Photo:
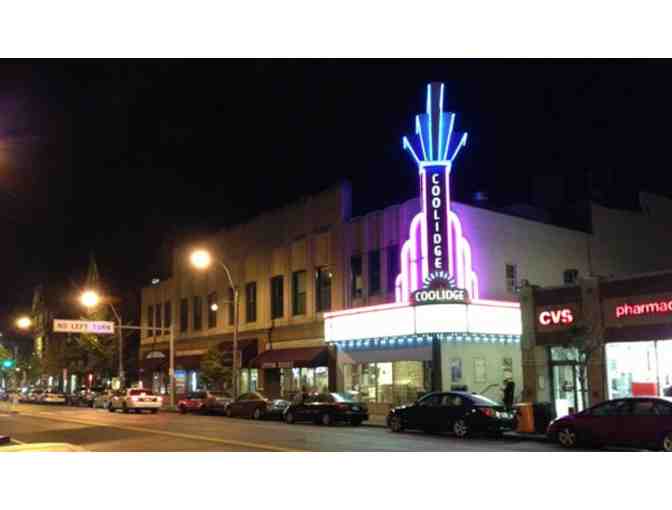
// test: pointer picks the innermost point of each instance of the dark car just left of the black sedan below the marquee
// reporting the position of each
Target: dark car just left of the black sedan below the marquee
(327, 409)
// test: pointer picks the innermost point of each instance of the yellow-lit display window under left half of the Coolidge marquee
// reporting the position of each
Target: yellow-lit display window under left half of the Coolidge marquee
(396, 382)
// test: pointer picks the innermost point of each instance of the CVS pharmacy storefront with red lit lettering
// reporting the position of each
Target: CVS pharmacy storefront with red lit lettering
(628, 320)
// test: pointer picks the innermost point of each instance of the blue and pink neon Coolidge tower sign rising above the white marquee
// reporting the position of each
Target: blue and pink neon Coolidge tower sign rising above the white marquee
(436, 244)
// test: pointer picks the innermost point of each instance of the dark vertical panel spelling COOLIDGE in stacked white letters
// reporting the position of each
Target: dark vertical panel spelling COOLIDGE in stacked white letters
(437, 217)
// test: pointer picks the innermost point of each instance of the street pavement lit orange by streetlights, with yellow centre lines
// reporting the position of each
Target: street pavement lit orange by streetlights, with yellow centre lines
(101, 431)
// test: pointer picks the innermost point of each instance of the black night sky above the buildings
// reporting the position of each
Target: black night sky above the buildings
(123, 158)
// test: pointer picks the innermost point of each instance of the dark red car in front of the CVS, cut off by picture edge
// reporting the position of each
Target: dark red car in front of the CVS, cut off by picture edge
(639, 421)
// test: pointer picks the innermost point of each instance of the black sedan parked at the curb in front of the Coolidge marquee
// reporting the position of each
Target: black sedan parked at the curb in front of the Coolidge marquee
(459, 412)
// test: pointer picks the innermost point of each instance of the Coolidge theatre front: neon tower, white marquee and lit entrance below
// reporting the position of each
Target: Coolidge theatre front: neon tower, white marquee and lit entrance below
(439, 334)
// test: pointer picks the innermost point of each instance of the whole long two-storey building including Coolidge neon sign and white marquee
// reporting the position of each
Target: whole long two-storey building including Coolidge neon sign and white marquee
(416, 297)
